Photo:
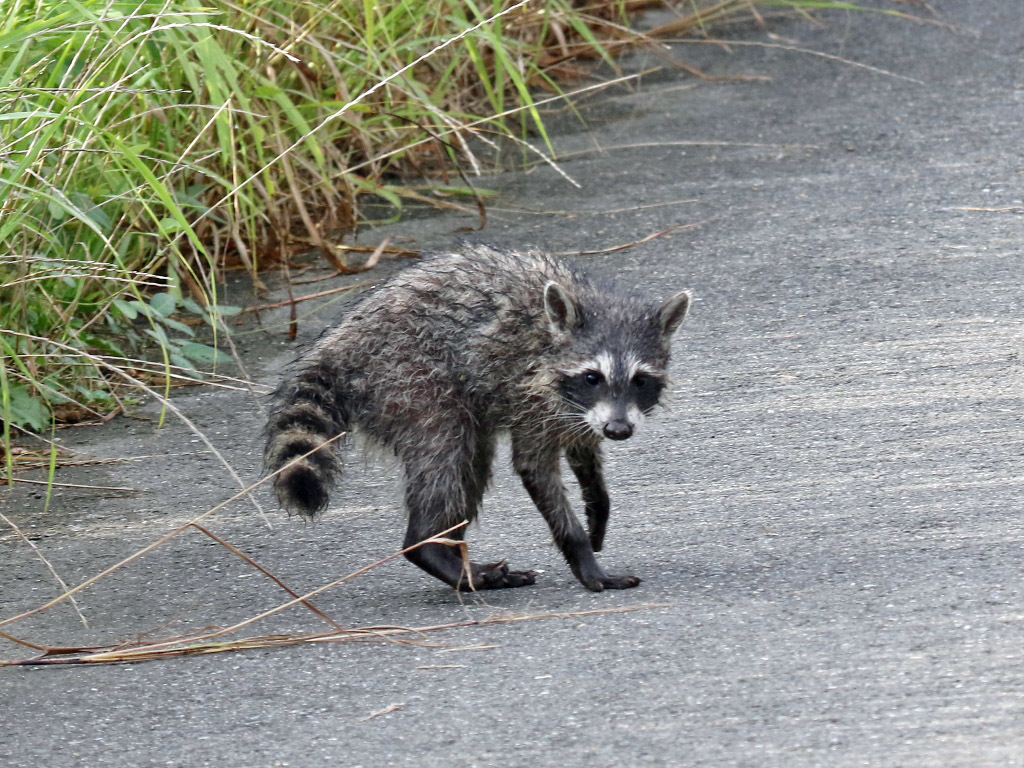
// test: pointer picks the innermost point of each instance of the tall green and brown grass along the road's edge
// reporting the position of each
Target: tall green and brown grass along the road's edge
(147, 147)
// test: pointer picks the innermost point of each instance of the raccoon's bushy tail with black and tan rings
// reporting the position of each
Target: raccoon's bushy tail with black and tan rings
(308, 415)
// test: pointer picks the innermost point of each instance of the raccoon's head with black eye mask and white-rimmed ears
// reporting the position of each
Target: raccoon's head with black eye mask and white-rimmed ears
(620, 353)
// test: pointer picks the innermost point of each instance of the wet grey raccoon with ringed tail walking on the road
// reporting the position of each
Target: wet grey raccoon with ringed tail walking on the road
(443, 359)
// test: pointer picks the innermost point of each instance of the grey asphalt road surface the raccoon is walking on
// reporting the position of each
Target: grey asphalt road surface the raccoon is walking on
(829, 517)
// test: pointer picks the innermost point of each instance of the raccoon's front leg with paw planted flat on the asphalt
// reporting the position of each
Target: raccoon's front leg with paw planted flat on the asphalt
(538, 466)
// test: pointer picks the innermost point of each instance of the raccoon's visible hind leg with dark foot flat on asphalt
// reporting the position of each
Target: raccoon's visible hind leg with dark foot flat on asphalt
(444, 488)
